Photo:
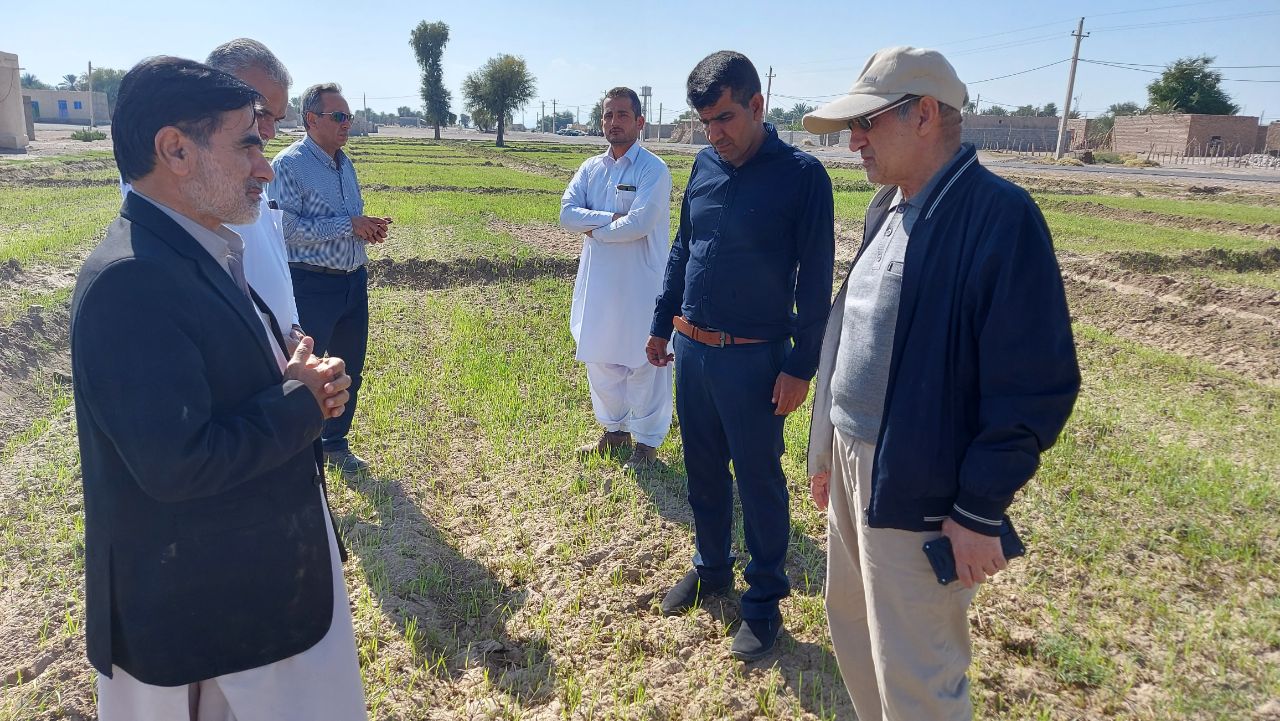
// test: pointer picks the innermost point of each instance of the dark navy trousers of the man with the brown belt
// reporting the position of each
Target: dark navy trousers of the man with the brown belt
(724, 398)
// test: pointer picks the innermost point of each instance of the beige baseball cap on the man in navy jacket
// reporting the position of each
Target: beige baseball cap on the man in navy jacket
(889, 76)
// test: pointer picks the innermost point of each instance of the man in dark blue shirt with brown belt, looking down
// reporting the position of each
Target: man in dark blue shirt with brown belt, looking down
(748, 277)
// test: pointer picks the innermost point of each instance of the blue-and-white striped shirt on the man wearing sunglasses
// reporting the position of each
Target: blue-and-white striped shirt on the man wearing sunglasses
(319, 198)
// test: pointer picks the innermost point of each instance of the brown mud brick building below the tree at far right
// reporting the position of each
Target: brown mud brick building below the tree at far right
(1187, 135)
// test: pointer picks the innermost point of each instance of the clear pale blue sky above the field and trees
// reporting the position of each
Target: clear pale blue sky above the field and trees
(579, 51)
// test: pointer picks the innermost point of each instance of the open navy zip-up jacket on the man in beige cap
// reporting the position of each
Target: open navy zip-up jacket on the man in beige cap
(984, 375)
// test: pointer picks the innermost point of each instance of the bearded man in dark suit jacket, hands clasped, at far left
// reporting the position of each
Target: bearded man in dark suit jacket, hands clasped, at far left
(213, 577)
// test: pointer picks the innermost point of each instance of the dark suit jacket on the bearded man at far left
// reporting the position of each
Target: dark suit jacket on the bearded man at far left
(205, 546)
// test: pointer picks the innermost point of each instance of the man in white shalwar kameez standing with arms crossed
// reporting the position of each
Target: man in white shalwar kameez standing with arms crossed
(621, 204)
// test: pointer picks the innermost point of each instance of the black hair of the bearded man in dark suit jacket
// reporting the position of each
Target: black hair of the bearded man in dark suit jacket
(167, 92)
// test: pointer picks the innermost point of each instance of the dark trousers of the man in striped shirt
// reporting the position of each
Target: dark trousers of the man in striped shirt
(335, 312)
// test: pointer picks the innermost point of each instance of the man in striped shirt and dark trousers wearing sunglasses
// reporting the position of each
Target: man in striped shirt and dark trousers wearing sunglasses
(326, 234)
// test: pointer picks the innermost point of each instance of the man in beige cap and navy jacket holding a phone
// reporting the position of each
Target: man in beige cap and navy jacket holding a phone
(948, 368)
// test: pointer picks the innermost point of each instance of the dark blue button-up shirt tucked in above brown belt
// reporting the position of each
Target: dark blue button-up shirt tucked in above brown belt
(755, 252)
